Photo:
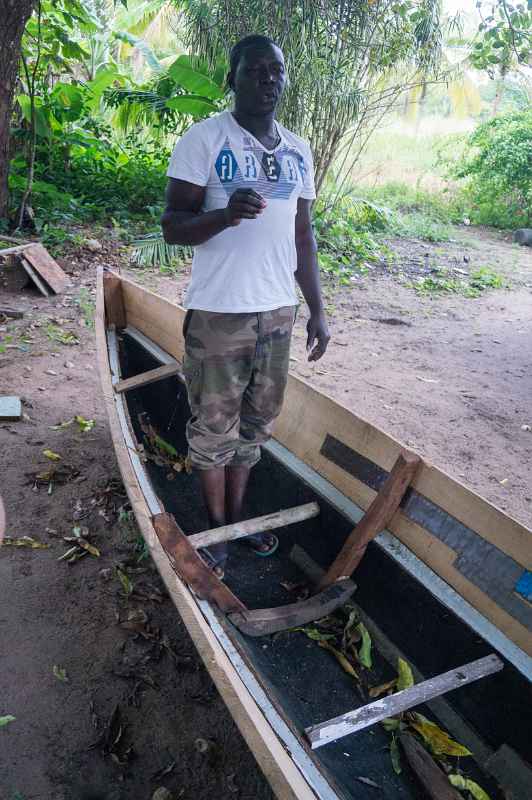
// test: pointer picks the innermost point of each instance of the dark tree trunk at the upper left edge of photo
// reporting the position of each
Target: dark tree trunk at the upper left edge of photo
(13, 15)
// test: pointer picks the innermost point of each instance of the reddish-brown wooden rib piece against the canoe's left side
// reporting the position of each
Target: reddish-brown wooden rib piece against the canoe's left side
(191, 568)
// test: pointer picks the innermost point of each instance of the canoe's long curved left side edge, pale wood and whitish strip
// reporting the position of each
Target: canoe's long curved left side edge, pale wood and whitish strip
(282, 758)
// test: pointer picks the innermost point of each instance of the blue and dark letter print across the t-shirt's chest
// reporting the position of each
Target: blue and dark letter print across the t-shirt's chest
(273, 175)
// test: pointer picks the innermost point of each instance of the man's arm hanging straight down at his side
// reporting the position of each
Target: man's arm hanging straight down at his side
(308, 277)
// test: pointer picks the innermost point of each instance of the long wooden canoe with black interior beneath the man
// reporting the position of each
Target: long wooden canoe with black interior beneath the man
(446, 584)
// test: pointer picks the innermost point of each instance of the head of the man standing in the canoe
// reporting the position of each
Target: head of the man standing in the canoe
(257, 74)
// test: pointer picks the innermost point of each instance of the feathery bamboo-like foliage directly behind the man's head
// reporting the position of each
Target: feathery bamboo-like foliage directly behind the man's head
(348, 62)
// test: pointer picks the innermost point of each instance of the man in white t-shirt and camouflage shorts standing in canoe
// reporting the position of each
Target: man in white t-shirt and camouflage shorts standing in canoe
(240, 191)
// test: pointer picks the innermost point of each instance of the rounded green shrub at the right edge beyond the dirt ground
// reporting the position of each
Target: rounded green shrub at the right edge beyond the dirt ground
(497, 167)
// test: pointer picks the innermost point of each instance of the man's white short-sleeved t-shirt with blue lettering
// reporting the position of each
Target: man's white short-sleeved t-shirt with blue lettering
(249, 267)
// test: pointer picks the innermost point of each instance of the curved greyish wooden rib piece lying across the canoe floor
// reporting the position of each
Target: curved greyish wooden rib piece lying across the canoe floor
(262, 621)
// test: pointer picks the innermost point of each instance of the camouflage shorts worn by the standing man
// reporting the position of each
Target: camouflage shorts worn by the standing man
(235, 366)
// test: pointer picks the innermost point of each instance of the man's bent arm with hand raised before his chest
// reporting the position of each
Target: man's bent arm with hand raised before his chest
(183, 221)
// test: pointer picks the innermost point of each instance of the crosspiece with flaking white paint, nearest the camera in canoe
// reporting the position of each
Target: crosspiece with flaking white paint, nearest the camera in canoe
(360, 718)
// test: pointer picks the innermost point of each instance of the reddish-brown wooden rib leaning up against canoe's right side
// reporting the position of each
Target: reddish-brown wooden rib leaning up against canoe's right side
(375, 519)
